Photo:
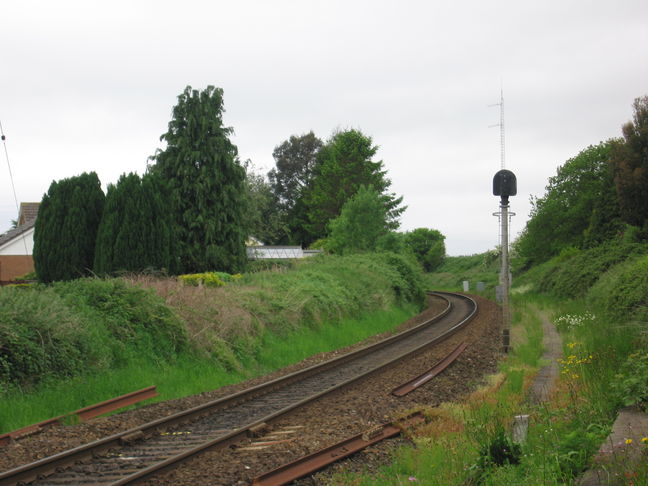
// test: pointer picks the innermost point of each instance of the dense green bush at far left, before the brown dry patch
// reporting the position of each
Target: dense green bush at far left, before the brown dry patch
(83, 325)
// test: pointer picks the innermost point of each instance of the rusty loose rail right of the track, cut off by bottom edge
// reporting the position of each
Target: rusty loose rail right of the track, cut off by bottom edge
(316, 461)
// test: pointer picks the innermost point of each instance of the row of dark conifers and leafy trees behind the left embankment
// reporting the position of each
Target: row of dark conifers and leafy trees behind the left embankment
(197, 203)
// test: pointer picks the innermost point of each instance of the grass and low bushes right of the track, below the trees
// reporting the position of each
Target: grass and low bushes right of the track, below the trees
(599, 301)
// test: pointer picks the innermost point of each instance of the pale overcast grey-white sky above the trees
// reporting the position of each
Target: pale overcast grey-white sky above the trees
(89, 86)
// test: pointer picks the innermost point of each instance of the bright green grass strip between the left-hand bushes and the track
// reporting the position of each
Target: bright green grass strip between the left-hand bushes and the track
(189, 374)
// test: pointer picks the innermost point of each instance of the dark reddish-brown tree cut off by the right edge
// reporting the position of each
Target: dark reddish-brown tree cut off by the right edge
(630, 160)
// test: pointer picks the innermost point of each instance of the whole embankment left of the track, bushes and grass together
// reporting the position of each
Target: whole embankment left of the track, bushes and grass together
(72, 344)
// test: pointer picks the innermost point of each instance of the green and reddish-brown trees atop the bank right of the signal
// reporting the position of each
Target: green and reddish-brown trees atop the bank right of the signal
(597, 196)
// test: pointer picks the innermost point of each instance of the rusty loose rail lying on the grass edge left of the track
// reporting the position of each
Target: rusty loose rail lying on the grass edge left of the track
(83, 414)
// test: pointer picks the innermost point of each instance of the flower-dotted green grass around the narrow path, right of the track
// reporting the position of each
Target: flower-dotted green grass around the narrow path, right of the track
(563, 434)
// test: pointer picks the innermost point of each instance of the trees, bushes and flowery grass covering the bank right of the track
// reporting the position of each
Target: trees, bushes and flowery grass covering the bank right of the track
(582, 261)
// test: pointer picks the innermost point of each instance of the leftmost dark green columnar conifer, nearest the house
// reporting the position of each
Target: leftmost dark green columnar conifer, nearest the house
(66, 228)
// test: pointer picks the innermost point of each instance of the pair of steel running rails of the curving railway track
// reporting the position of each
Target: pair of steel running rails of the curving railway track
(29, 472)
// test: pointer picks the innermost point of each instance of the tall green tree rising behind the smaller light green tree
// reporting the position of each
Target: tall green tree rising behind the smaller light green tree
(344, 164)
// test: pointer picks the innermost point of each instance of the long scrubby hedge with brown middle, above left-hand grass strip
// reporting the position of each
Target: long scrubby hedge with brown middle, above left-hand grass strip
(89, 325)
